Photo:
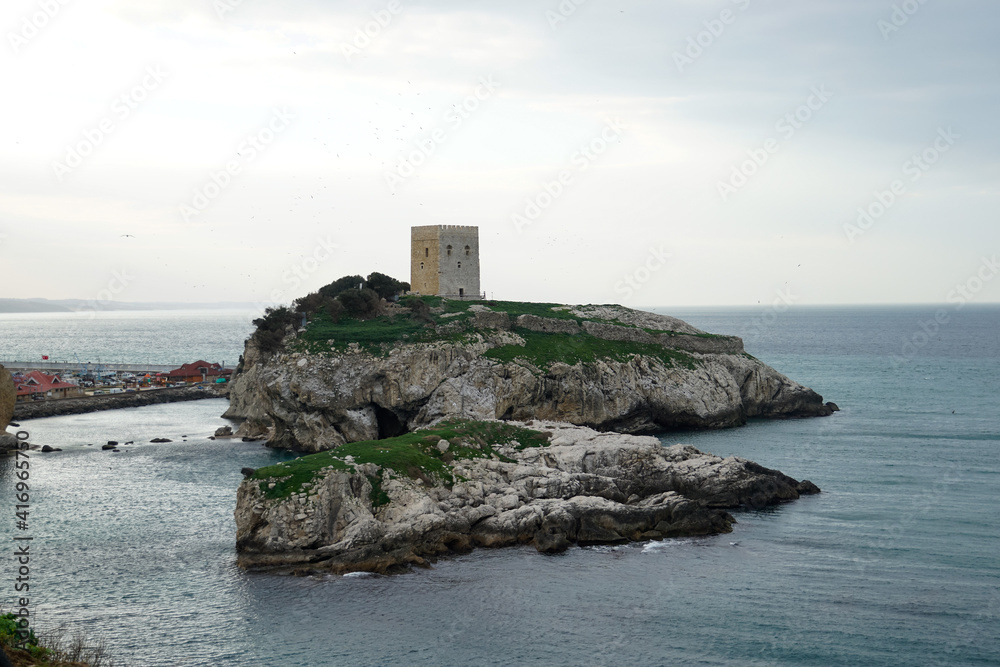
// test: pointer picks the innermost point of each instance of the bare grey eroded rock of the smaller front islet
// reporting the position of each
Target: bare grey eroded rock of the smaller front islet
(586, 487)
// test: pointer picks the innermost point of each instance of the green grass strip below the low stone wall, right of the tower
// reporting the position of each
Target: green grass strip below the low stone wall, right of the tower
(544, 349)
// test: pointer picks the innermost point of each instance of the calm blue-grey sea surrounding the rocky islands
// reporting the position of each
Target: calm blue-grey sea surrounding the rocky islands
(897, 562)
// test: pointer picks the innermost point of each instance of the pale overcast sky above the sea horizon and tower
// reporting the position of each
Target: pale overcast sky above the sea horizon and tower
(685, 153)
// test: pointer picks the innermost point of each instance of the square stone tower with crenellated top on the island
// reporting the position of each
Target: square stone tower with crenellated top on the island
(444, 261)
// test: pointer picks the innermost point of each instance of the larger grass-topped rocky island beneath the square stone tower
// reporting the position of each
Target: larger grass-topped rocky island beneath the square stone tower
(318, 386)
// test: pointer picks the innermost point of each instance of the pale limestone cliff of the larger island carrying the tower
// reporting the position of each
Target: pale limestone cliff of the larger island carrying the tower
(312, 402)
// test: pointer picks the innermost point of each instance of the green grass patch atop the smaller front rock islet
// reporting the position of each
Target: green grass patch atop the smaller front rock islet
(414, 455)
